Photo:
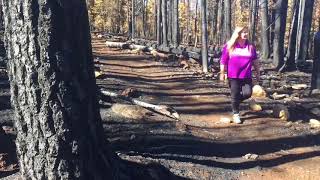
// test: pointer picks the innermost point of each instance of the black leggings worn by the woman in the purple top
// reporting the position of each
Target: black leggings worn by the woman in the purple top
(241, 89)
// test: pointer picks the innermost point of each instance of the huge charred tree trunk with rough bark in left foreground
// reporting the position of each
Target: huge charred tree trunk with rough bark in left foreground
(53, 92)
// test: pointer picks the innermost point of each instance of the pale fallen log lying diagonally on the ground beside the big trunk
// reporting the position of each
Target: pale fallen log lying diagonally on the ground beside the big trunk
(162, 109)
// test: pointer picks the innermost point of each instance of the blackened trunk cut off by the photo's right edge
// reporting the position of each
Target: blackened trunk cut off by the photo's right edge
(315, 80)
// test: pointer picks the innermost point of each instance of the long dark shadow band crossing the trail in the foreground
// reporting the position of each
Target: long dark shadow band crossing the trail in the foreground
(185, 148)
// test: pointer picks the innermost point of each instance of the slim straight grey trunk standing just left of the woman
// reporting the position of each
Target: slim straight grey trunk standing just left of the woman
(204, 34)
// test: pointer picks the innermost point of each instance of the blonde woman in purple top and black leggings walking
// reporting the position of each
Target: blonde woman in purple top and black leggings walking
(238, 57)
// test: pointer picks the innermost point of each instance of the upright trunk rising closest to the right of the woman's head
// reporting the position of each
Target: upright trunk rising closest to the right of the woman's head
(264, 29)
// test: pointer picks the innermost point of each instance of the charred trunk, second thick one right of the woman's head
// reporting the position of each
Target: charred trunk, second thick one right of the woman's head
(279, 31)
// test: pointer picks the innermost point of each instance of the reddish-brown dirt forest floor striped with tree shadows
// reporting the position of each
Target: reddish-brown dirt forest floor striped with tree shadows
(199, 145)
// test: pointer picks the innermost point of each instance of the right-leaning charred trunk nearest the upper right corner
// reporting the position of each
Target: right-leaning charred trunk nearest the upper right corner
(303, 31)
